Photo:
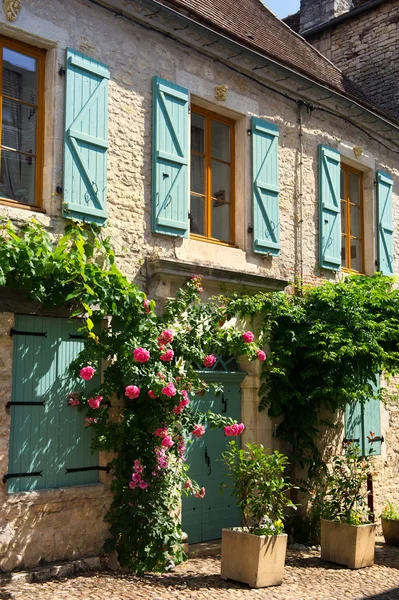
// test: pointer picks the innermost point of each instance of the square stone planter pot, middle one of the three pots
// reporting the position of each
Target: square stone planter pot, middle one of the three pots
(349, 545)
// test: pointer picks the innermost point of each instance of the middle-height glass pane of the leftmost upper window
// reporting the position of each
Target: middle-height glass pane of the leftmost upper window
(19, 126)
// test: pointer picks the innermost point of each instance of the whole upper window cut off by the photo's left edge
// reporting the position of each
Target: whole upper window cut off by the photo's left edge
(22, 124)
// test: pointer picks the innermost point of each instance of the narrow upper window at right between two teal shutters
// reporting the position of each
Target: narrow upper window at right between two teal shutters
(352, 219)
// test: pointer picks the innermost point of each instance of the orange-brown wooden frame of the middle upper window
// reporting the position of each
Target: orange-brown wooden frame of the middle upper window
(209, 117)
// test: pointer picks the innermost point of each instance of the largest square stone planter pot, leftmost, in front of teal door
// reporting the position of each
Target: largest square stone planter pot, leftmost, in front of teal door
(257, 560)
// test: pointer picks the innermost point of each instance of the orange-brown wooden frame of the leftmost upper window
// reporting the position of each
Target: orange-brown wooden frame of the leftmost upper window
(40, 55)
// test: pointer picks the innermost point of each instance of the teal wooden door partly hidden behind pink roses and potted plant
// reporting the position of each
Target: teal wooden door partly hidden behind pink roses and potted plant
(203, 519)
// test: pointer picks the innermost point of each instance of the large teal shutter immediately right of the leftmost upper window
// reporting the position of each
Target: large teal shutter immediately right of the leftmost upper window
(86, 139)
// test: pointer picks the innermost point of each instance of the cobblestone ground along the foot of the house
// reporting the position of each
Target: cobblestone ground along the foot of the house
(306, 578)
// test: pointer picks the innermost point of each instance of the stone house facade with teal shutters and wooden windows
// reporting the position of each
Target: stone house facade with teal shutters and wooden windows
(180, 87)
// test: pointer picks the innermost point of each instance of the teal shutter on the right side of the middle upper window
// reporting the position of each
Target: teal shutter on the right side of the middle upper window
(266, 210)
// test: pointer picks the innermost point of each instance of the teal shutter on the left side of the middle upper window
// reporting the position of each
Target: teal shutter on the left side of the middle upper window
(170, 148)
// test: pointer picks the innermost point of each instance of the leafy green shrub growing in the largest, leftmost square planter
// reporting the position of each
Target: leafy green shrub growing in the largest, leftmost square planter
(259, 486)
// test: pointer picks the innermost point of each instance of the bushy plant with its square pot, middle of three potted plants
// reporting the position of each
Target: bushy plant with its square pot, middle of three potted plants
(347, 535)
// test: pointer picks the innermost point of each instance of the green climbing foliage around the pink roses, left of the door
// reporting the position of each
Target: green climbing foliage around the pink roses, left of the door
(79, 269)
